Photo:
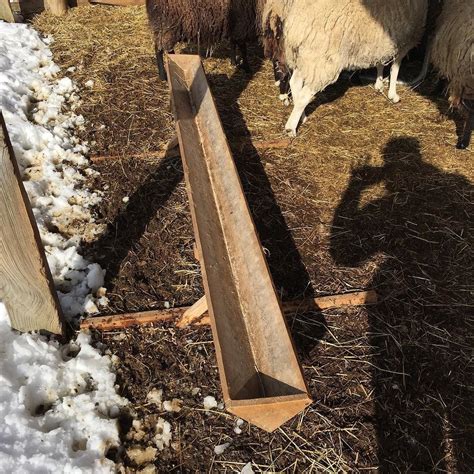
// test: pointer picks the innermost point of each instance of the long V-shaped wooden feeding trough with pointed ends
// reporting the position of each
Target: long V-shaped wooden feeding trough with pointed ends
(261, 378)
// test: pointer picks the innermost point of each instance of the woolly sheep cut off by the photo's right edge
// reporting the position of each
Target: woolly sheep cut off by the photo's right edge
(452, 53)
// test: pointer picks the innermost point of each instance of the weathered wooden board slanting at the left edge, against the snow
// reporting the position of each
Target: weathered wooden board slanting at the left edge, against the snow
(27, 288)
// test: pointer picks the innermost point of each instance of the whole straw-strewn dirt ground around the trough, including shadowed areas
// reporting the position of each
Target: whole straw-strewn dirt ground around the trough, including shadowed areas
(369, 195)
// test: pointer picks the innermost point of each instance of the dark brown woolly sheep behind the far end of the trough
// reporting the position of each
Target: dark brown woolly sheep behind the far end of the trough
(207, 22)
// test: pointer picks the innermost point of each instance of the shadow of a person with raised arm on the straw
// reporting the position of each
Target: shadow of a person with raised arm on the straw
(419, 333)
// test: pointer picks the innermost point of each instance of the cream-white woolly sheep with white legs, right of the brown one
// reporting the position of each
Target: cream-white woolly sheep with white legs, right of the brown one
(321, 38)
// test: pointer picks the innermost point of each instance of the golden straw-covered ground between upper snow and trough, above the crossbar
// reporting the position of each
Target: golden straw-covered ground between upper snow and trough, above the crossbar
(100, 47)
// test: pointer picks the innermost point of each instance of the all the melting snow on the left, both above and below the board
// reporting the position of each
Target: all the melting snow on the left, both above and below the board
(57, 403)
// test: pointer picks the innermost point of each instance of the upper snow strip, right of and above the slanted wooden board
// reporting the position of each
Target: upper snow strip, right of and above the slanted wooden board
(38, 111)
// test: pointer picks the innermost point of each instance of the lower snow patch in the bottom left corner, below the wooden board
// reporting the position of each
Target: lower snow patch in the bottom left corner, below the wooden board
(55, 404)
